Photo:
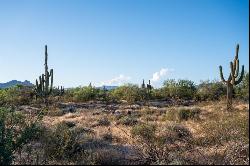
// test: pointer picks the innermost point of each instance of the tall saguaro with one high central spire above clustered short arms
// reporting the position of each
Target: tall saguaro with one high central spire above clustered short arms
(44, 85)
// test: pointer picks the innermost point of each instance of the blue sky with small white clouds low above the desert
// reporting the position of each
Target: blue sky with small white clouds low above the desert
(118, 41)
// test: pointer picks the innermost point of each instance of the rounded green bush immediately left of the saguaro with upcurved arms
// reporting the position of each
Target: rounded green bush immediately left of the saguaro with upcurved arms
(213, 90)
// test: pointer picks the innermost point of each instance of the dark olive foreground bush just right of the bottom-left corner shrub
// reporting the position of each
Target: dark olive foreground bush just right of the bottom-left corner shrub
(65, 143)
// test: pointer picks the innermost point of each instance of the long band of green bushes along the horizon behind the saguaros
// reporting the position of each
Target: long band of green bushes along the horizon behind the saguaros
(171, 89)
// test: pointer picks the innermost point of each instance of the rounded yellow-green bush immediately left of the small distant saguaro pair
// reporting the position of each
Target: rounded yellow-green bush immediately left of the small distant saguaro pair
(131, 93)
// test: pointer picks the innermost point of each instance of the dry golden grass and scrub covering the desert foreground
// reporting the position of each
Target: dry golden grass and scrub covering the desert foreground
(204, 134)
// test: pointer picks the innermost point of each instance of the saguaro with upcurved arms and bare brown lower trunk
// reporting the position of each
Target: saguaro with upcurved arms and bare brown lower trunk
(233, 78)
